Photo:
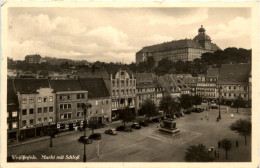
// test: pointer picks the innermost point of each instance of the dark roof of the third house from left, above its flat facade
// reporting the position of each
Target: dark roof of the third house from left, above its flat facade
(65, 85)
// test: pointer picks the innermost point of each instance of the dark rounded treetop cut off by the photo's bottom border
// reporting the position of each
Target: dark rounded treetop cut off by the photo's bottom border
(198, 154)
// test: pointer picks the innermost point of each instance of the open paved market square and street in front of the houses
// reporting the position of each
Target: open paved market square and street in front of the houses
(146, 144)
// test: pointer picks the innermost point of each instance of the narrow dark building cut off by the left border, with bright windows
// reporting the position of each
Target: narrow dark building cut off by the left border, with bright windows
(12, 113)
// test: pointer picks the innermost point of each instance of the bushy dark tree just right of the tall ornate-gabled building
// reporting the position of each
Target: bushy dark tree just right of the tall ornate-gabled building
(148, 108)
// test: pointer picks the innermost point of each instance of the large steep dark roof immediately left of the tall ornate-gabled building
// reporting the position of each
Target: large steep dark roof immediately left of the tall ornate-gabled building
(96, 87)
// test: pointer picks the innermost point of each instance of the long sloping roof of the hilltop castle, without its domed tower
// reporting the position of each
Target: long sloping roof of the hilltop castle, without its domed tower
(185, 43)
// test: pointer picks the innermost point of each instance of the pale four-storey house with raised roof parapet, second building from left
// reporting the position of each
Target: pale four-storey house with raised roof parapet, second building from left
(37, 106)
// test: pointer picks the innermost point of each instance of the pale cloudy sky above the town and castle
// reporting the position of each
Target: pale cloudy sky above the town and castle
(116, 34)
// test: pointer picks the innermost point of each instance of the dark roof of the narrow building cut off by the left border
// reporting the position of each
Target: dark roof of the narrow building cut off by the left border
(12, 99)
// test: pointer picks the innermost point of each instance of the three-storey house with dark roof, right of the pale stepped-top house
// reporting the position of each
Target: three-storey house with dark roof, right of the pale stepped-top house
(69, 98)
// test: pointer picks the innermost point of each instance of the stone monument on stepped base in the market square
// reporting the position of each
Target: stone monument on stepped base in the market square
(168, 127)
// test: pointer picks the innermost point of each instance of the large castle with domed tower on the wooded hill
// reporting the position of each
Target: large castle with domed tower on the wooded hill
(184, 50)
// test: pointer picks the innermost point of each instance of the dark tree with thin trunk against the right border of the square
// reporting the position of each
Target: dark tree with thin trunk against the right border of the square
(242, 127)
